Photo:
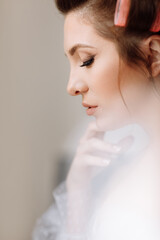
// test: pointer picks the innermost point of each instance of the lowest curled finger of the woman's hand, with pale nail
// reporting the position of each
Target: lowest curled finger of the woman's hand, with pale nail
(96, 161)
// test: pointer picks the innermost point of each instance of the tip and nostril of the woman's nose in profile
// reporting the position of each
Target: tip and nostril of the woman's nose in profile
(76, 86)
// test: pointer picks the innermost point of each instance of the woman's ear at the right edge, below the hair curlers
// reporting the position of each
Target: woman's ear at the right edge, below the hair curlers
(153, 43)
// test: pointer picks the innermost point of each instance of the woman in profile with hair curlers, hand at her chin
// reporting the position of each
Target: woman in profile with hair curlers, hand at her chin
(112, 189)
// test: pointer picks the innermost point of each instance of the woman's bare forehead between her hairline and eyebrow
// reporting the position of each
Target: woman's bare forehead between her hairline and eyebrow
(77, 30)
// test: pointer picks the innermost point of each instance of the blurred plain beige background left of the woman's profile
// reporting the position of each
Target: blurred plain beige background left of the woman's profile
(40, 124)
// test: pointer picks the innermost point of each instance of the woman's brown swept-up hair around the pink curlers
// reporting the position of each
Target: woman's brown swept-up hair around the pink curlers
(100, 13)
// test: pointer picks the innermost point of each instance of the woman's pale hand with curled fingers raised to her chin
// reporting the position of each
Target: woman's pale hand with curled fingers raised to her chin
(93, 154)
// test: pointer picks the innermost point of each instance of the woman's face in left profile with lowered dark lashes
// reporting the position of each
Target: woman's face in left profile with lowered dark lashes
(95, 72)
